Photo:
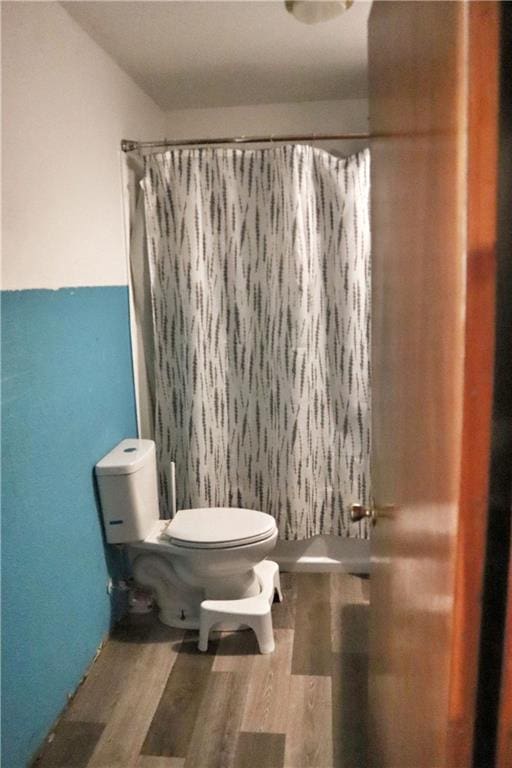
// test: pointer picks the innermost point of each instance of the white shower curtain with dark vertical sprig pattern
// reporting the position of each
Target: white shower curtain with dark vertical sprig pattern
(260, 280)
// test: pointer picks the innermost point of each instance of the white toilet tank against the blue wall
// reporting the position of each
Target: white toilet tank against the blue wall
(127, 482)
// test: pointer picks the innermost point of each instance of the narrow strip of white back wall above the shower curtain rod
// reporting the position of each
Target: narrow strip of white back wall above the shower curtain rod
(343, 116)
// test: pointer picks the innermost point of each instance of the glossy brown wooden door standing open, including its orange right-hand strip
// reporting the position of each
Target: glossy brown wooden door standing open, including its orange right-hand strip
(433, 97)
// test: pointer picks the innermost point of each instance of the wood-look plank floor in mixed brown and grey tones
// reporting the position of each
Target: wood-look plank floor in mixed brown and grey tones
(151, 700)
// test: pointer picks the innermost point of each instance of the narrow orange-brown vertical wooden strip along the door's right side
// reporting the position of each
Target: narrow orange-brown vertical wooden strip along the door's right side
(481, 207)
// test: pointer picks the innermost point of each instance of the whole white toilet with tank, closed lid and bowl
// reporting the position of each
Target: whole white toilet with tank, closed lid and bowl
(202, 554)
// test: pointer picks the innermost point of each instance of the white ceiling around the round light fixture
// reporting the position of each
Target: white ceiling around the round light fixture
(219, 54)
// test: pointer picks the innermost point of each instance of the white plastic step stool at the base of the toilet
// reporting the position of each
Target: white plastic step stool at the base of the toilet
(251, 611)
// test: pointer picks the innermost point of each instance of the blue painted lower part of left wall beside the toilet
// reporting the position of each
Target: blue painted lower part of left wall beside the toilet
(67, 399)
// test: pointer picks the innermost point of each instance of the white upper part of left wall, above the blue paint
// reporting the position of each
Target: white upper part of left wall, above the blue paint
(66, 106)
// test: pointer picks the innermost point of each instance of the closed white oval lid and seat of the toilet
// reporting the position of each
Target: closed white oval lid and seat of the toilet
(219, 527)
